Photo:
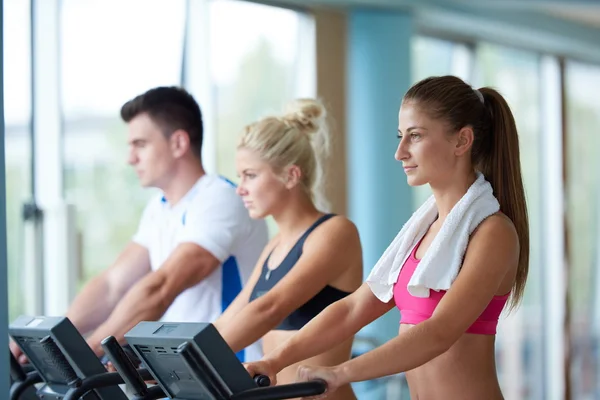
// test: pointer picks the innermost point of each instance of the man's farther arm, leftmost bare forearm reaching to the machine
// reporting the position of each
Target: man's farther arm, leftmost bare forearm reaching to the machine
(100, 296)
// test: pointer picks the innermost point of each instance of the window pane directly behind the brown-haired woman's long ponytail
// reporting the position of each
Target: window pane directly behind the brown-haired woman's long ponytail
(521, 334)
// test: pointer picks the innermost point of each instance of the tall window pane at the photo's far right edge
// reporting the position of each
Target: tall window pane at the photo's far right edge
(583, 222)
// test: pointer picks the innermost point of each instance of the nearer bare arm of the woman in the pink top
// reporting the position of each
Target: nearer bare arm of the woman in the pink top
(493, 251)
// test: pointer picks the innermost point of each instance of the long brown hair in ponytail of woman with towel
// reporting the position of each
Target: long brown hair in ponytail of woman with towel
(495, 150)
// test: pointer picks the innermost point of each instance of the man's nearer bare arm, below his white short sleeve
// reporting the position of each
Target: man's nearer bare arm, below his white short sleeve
(151, 297)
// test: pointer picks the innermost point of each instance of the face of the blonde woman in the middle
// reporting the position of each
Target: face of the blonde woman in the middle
(261, 189)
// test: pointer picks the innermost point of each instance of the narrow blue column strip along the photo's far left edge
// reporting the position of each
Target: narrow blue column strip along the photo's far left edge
(4, 365)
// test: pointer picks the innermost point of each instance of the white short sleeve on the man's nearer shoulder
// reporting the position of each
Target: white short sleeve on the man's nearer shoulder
(216, 221)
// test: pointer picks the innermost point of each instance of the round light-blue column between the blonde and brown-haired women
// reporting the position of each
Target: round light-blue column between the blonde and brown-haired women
(379, 74)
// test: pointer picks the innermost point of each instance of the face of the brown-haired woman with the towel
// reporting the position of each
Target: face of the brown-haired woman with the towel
(429, 152)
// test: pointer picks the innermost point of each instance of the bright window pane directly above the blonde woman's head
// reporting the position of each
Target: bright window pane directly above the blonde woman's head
(260, 59)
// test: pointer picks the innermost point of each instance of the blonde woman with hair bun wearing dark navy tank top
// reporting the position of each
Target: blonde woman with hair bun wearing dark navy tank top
(314, 260)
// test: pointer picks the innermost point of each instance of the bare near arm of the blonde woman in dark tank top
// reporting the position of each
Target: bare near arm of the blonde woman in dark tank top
(330, 250)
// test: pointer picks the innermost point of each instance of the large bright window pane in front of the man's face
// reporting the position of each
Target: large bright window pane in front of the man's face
(101, 69)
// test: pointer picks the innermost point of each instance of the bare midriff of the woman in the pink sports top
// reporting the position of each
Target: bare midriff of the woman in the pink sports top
(467, 372)
